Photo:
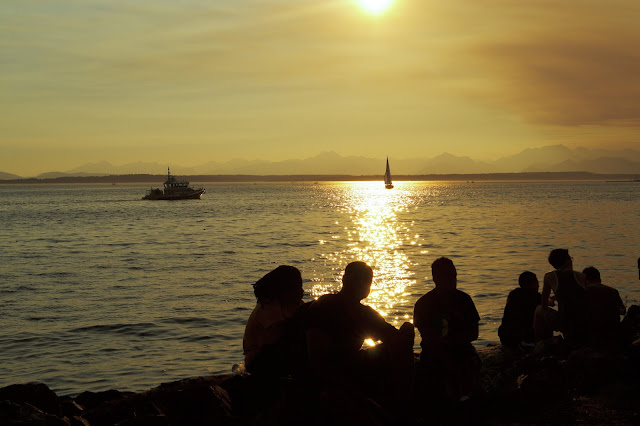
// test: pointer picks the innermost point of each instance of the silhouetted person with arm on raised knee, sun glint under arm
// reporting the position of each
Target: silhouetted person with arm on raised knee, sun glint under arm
(337, 326)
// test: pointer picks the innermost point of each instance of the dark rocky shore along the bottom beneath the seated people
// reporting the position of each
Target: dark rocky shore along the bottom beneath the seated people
(550, 385)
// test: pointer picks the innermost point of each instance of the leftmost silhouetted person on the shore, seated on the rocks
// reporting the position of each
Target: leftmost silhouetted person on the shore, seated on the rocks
(273, 340)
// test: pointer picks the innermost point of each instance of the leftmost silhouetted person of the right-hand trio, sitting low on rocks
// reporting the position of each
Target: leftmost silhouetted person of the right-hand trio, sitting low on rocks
(516, 329)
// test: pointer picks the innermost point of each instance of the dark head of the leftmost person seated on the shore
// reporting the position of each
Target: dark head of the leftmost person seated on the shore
(283, 284)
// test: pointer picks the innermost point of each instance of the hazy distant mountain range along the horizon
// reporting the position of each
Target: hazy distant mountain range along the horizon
(553, 158)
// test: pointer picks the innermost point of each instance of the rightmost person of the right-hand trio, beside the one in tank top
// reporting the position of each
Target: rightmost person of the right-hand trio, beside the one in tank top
(605, 307)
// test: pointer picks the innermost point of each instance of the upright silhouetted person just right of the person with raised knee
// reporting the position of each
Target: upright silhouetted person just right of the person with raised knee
(448, 322)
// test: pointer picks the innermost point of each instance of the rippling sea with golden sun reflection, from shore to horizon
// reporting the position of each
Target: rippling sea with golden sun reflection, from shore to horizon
(100, 289)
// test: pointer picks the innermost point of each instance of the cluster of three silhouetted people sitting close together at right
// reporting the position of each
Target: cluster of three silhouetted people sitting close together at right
(588, 312)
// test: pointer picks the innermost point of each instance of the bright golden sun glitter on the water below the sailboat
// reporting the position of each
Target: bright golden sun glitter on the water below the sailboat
(376, 236)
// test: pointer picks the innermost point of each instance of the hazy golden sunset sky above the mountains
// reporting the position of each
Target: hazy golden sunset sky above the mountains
(191, 81)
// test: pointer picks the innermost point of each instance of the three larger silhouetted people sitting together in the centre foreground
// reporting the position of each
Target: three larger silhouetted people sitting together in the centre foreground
(322, 343)
